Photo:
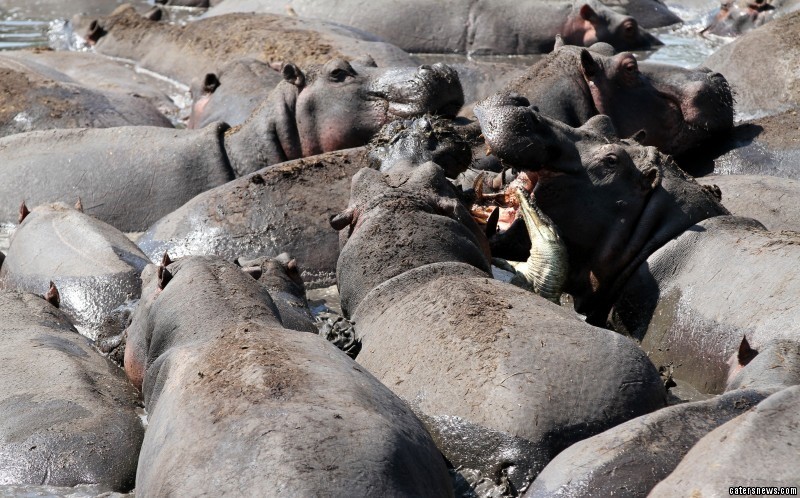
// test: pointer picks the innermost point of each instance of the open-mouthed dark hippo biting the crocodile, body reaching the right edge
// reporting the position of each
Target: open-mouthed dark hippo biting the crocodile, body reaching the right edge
(644, 241)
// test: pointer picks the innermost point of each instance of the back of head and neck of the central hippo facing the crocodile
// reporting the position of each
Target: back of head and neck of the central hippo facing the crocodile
(395, 222)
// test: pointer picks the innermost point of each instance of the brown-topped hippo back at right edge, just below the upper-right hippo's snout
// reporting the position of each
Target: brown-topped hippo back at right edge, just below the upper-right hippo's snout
(762, 146)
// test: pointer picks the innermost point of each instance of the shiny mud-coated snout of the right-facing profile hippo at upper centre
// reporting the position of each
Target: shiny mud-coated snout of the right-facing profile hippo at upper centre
(432, 89)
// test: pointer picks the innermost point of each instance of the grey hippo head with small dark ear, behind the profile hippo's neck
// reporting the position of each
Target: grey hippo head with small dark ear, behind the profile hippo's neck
(232, 93)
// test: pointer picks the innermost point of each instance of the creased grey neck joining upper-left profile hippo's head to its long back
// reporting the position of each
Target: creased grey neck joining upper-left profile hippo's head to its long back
(269, 136)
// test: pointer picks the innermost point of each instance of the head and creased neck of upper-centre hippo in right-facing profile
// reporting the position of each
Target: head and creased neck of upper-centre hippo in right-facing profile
(338, 105)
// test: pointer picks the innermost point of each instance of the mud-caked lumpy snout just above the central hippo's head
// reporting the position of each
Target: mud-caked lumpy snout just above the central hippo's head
(417, 141)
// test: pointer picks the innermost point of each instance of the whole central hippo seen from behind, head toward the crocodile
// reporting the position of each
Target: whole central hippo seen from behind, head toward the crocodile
(460, 347)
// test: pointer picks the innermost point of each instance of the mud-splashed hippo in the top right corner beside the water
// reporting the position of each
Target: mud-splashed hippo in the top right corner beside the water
(736, 17)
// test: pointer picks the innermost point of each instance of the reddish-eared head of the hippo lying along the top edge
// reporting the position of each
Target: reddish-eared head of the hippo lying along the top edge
(589, 23)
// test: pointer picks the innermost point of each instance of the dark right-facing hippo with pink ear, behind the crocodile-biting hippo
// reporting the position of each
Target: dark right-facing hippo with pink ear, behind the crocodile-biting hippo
(679, 109)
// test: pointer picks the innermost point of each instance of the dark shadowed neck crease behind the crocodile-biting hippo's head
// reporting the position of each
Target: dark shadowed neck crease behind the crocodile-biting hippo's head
(674, 206)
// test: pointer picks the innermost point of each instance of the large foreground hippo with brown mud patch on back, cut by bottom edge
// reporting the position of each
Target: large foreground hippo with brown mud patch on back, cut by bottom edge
(227, 387)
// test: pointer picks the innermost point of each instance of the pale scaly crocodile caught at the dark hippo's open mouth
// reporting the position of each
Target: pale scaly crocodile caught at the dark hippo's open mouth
(545, 271)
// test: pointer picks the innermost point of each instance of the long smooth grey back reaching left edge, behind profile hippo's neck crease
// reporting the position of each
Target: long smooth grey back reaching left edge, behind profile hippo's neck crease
(128, 177)
